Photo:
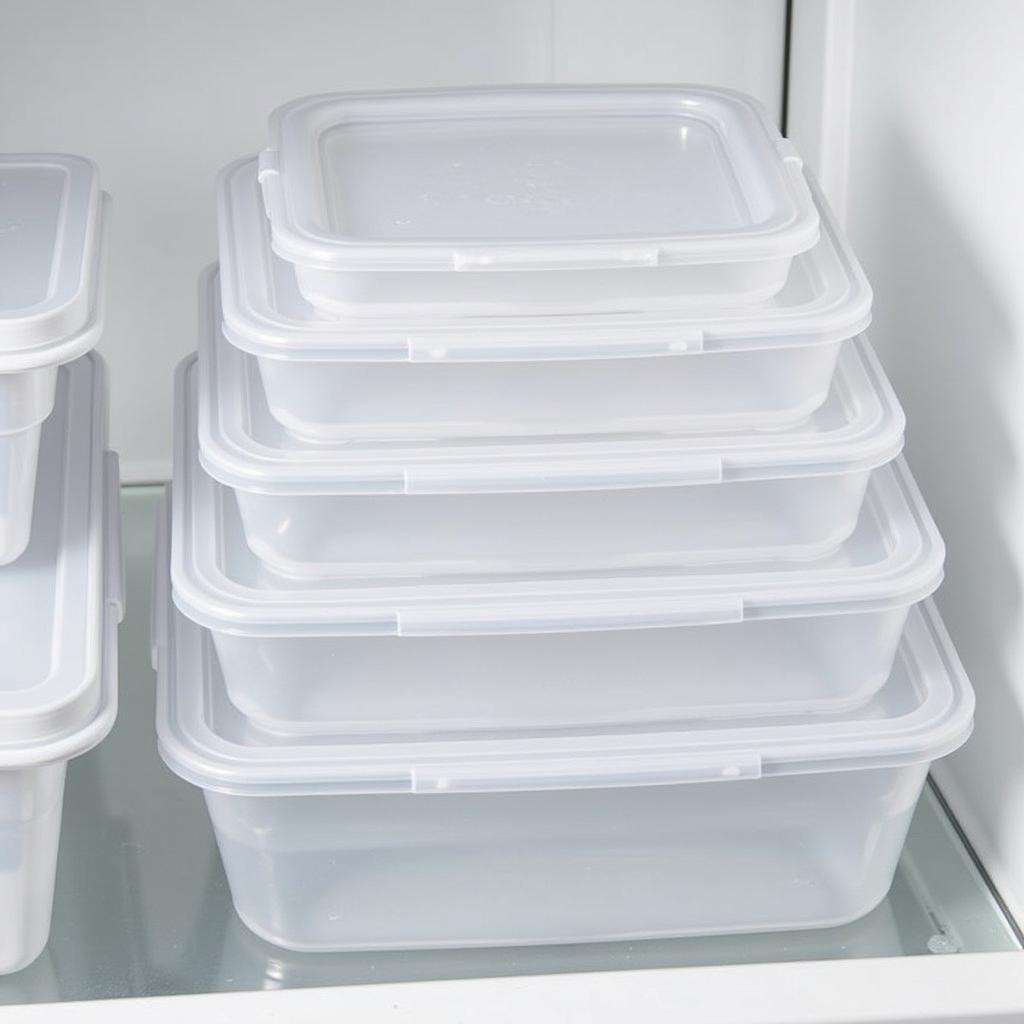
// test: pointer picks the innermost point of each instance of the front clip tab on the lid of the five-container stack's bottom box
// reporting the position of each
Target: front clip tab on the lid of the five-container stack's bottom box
(594, 772)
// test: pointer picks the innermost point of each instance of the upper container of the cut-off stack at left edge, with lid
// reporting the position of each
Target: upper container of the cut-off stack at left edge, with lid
(52, 295)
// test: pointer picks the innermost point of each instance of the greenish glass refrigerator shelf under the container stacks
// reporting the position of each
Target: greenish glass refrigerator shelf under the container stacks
(143, 908)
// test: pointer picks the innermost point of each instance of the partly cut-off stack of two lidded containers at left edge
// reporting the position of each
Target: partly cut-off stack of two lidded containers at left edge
(61, 590)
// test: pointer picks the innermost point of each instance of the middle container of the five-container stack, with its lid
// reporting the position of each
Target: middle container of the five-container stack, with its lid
(381, 508)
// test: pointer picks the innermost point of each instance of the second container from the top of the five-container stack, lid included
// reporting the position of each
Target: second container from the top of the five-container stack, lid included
(653, 369)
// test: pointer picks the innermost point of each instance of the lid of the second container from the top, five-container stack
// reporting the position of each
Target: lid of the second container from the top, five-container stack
(826, 300)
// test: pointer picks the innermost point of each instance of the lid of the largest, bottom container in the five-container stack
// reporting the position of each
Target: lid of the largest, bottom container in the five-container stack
(924, 712)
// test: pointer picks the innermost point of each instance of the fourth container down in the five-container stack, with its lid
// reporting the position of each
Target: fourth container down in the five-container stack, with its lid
(443, 651)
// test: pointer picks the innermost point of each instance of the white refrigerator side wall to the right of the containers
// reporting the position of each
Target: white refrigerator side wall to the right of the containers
(905, 110)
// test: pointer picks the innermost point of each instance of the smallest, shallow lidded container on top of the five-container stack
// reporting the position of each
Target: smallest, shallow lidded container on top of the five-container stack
(554, 199)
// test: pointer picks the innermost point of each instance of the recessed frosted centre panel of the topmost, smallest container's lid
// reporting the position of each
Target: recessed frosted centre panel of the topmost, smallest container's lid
(517, 179)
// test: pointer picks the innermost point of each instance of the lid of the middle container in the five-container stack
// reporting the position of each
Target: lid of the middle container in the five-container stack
(860, 426)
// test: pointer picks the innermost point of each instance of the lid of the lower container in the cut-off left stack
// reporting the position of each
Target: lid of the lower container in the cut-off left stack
(62, 601)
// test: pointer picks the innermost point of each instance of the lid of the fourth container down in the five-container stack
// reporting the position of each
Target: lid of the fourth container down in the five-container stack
(894, 558)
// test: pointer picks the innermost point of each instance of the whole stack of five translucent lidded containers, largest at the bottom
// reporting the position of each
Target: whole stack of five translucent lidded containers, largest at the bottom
(543, 566)
